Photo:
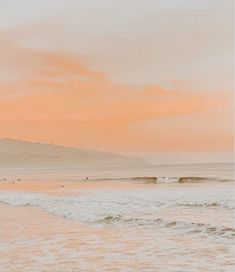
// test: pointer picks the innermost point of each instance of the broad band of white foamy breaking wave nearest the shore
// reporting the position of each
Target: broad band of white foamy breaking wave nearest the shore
(135, 207)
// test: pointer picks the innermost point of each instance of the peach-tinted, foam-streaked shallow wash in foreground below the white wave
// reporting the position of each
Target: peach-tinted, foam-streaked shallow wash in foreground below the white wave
(33, 240)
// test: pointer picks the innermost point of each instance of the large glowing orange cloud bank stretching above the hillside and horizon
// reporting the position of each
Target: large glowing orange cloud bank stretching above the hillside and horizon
(55, 96)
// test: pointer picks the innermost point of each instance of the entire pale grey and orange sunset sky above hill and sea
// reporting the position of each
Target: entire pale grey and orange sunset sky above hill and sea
(153, 78)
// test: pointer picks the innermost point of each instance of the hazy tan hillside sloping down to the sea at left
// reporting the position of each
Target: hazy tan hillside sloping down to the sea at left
(14, 153)
